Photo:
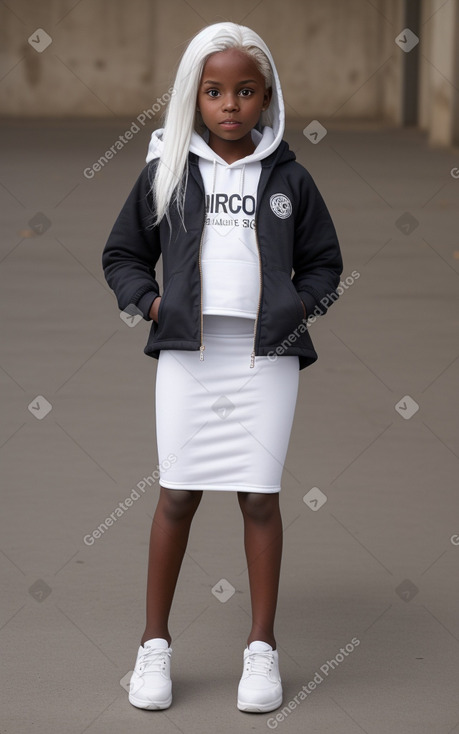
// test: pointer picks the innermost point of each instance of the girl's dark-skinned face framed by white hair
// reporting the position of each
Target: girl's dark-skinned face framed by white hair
(231, 97)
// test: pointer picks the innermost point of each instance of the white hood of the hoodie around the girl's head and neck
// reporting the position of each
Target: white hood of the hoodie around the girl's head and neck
(266, 141)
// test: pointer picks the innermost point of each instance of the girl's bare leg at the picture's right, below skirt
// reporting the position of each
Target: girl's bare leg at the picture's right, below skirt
(263, 535)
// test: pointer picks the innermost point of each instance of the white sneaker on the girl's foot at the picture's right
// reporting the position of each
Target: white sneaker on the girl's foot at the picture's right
(260, 688)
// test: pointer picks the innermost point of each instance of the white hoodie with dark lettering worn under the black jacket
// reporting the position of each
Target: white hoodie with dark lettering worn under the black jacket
(229, 257)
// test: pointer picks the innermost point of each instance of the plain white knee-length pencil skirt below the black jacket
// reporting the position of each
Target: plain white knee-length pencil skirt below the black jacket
(219, 423)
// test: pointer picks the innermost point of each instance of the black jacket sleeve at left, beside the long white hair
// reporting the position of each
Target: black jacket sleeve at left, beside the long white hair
(132, 250)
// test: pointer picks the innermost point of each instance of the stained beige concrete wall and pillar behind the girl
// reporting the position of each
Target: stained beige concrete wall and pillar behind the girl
(337, 58)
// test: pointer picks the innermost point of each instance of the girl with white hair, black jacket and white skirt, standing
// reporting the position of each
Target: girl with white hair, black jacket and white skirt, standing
(224, 202)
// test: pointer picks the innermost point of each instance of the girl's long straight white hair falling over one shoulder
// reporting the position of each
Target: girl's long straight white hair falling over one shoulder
(182, 117)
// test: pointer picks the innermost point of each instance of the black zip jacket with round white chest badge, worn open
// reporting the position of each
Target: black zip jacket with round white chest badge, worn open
(294, 231)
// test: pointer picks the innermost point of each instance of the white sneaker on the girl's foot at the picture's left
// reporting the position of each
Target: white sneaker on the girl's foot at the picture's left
(150, 686)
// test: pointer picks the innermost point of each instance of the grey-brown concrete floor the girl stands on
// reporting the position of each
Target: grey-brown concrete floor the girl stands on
(377, 563)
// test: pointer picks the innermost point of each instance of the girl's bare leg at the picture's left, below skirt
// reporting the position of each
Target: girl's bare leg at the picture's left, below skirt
(168, 540)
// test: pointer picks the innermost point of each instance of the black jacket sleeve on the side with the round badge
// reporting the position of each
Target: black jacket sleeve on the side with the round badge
(317, 260)
